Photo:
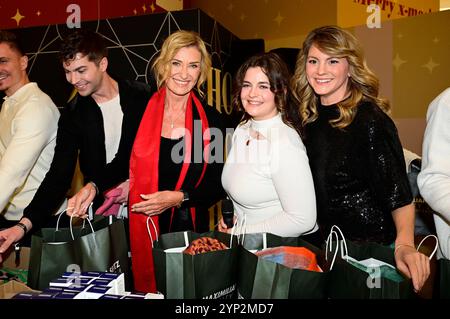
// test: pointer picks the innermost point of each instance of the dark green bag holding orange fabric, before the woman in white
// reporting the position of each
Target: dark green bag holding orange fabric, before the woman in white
(264, 279)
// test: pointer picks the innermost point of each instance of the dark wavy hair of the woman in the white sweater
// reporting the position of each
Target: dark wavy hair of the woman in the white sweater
(278, 74)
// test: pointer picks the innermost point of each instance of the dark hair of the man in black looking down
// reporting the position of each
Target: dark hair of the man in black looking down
(86, 42)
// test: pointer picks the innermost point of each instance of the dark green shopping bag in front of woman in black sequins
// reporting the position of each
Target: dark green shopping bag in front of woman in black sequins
(349, 281)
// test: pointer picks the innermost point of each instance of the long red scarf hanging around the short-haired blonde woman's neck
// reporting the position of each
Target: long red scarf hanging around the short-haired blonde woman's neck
(144, 167)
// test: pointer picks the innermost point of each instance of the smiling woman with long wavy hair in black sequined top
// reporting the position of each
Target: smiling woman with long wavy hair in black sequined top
(353, 147)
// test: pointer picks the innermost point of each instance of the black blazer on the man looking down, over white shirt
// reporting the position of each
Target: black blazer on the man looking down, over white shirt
(81, 133)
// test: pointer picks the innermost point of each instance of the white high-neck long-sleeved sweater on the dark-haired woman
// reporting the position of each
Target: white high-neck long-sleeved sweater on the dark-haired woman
(269, 180)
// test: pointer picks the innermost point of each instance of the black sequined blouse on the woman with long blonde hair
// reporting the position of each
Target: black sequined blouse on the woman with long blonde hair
(359, 173)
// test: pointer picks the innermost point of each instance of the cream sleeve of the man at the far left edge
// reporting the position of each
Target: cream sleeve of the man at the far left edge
(33, 128)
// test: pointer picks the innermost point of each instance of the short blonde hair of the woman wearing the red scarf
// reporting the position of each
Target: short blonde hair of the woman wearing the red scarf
(173, 43)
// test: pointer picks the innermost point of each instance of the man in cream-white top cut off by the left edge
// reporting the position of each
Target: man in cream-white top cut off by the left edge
(28, 125)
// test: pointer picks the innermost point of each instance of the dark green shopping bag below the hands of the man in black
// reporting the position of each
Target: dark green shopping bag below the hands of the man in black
(54, 252)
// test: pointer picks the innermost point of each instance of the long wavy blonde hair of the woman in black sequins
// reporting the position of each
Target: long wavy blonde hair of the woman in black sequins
(363, 84)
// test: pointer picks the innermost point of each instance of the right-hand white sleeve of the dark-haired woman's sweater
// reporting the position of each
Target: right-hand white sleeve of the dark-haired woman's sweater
(293, 183)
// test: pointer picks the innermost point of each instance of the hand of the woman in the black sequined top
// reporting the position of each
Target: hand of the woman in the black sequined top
(413, 264)
